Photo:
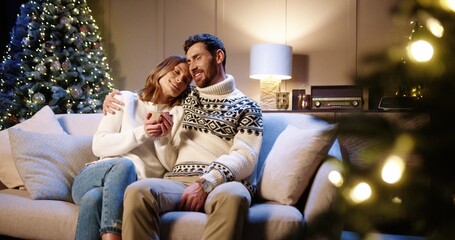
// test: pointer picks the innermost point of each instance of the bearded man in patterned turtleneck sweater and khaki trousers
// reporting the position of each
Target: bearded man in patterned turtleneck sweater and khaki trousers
(218, 146)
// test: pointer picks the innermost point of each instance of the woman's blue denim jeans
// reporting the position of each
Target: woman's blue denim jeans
(98, 190)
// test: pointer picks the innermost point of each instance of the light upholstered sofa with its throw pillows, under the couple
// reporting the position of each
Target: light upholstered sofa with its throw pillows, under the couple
(297, 154)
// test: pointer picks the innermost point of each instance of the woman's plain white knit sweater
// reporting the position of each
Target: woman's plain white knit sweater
(122, 135)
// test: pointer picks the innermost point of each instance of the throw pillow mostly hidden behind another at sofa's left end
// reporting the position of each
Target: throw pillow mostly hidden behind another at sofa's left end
(44, 121)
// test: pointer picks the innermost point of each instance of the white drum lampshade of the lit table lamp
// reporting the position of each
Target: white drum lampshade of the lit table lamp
(271, 61)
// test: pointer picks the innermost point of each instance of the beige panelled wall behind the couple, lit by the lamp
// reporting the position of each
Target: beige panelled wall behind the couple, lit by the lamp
(328, 36)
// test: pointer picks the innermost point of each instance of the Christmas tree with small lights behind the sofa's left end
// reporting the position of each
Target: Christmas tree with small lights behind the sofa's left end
(55, 58)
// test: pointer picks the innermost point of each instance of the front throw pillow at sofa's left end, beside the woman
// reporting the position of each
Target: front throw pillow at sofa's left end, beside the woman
(48, 163)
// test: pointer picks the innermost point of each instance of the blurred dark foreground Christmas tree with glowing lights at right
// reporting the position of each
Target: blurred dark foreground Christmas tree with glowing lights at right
(409, 187)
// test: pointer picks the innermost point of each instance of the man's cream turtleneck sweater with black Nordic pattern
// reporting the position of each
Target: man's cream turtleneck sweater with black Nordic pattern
(221, 134)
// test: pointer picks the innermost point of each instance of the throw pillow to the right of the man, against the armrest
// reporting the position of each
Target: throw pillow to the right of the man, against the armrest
(293, 160)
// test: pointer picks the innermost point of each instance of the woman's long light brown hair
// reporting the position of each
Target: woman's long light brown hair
(151, 91)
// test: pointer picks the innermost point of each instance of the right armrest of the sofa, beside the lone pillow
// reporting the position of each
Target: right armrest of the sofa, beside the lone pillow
(323, 193)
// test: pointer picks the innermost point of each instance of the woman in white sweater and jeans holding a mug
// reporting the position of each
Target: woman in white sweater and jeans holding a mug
(131, 144)
